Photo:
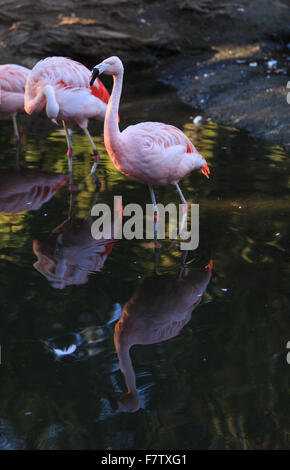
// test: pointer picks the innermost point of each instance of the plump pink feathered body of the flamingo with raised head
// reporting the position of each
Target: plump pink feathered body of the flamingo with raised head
(155, 153)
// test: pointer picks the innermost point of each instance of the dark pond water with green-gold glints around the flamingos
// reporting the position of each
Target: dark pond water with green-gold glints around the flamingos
(223, 382)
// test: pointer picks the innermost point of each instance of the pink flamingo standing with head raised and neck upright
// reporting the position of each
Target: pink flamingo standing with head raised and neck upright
(153, 153)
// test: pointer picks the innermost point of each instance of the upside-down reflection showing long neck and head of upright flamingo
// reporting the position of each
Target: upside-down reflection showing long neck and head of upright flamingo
(158, 310)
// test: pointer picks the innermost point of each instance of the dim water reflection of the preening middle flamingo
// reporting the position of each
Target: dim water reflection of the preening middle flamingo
(71, 254)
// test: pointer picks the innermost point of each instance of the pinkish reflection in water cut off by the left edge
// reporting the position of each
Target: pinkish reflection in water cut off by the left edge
(26, 189)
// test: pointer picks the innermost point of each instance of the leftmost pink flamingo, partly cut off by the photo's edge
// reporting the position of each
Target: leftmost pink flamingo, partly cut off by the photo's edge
(12, 86)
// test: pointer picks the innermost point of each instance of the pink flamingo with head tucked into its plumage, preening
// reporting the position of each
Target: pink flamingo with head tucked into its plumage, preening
(61, 86)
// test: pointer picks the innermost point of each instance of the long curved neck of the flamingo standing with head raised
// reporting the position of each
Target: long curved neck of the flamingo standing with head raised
(111, 127)
